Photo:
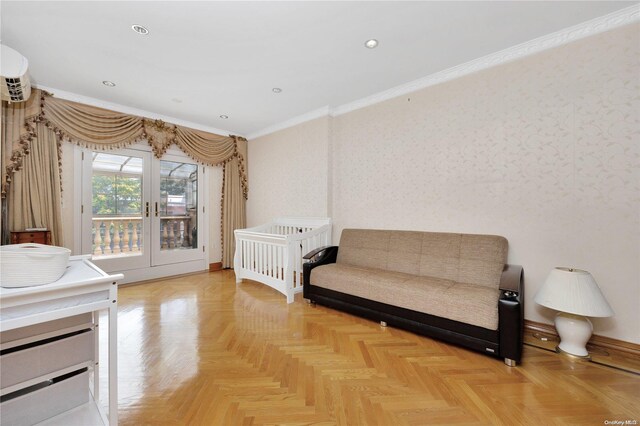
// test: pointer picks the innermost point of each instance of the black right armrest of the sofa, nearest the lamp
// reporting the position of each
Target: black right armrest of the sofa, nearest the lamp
(511, 312)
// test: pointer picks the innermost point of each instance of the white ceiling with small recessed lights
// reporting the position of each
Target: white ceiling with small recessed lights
(206, 59)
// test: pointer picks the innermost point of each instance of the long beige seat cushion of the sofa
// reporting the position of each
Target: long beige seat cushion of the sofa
(467, 303)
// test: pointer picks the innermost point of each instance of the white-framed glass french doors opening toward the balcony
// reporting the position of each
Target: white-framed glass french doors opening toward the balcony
(140, 212)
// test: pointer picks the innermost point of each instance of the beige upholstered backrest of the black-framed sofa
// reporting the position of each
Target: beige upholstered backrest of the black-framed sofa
(466, 258)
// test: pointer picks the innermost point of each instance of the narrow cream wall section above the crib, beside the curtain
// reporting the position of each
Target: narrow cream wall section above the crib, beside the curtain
(289, 174)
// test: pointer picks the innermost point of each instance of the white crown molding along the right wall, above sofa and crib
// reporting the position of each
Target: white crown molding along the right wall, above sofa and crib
(592, 27)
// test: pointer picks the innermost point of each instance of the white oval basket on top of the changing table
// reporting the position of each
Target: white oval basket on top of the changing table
(25, 265)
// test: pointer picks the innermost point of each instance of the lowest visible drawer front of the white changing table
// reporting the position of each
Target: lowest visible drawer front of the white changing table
(46, 402)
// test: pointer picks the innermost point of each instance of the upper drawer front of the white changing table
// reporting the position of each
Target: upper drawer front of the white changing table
(40, 359)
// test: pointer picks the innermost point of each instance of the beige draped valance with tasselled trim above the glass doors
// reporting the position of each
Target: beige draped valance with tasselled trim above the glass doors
(101, 129)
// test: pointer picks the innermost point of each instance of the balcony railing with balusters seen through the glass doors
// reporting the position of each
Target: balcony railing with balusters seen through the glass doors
(123, 236)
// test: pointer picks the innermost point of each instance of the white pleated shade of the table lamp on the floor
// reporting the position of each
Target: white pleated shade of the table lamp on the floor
(573, 291)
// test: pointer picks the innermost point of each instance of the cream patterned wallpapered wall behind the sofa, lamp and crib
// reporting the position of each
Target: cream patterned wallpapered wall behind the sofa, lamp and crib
(544, 151)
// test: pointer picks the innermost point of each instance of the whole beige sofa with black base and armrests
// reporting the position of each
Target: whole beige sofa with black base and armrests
(456, 287)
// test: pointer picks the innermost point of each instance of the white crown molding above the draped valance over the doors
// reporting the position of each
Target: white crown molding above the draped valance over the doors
(74, 97)
